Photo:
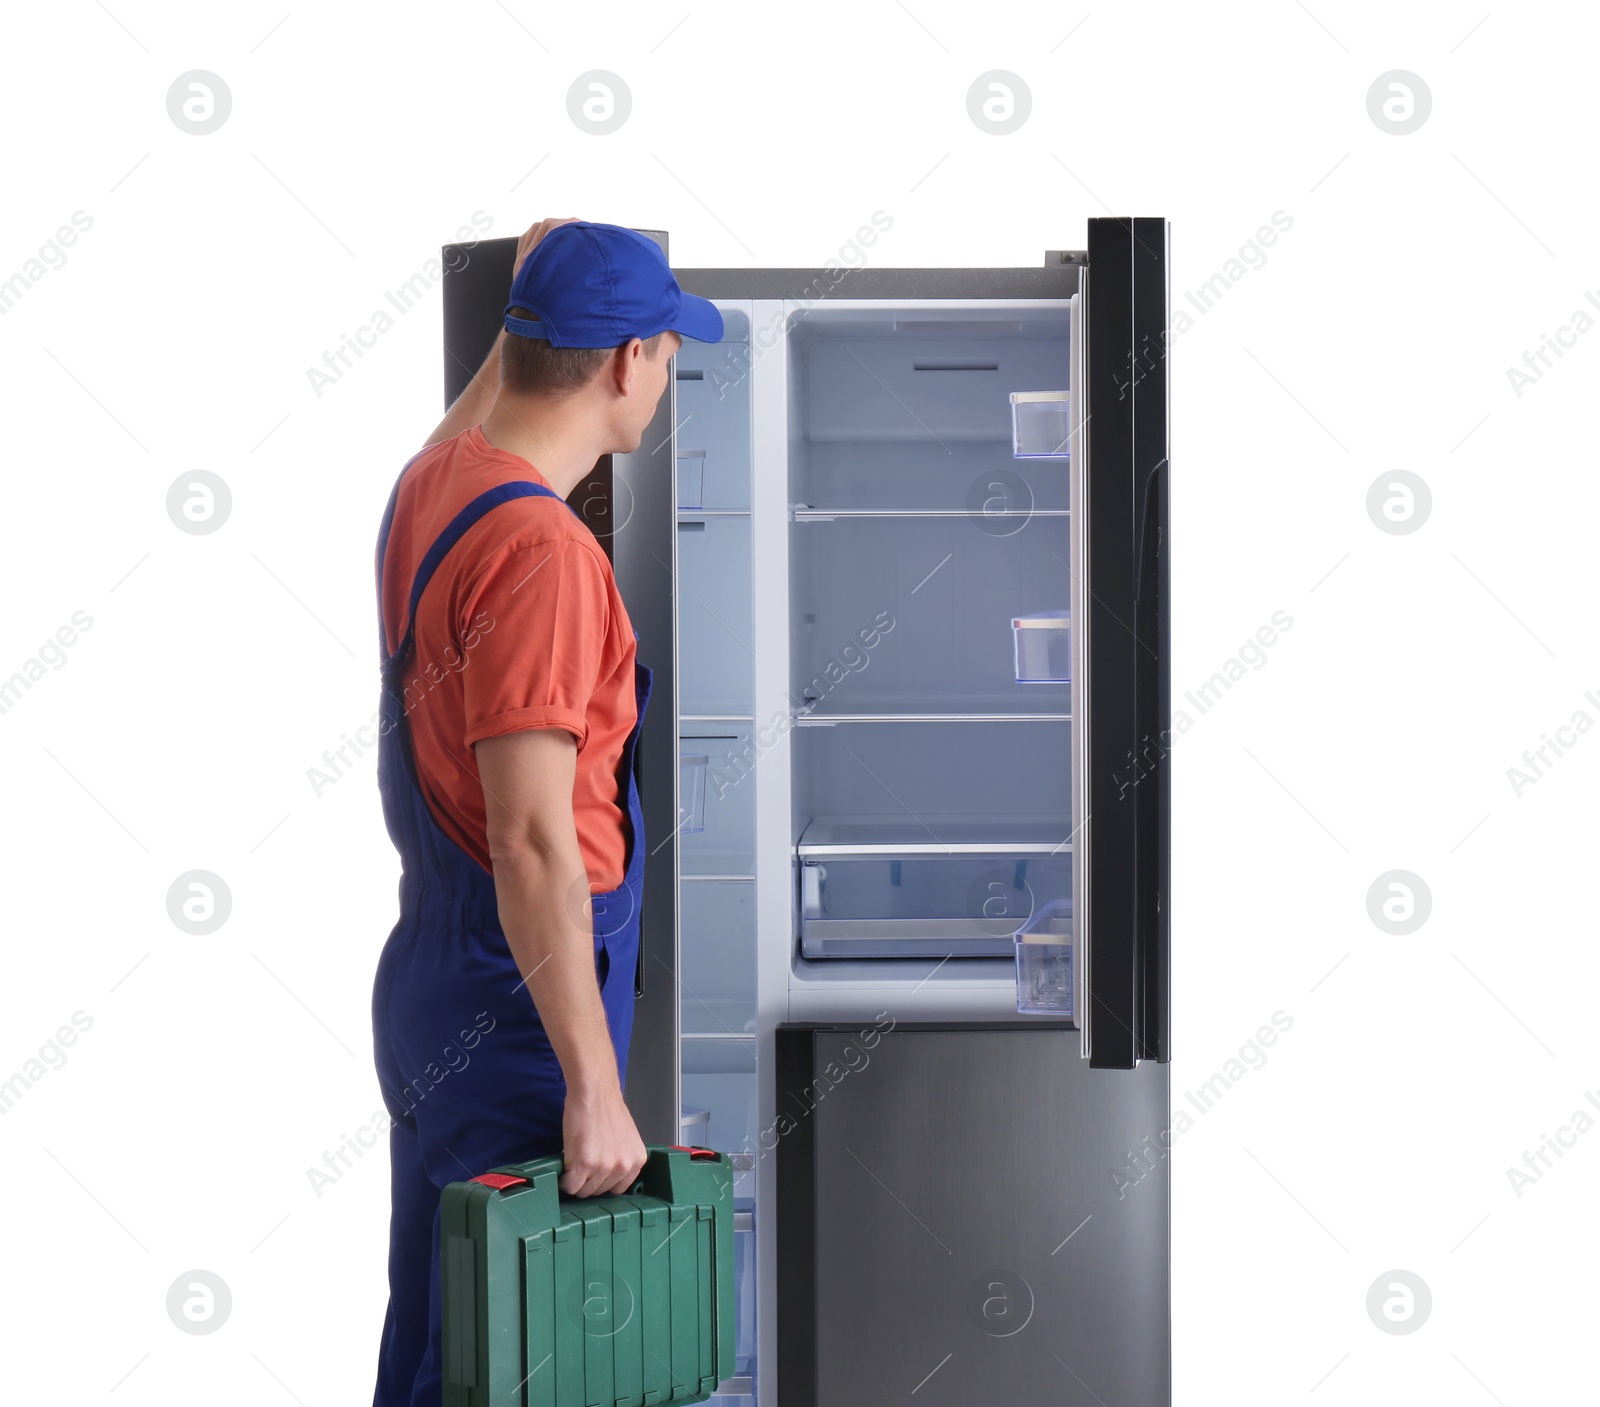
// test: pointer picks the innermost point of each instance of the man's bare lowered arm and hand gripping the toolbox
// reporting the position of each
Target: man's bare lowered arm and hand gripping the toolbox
(543, 894)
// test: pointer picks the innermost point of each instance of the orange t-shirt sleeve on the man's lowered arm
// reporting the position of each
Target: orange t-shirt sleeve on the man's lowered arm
(535, 641)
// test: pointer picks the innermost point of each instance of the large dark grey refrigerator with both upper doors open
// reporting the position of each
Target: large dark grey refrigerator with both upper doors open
(898, 553)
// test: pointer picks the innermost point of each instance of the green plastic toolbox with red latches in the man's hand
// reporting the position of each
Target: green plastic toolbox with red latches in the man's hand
(590, 1302)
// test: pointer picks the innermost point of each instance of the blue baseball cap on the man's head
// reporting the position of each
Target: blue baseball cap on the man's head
(599, 286)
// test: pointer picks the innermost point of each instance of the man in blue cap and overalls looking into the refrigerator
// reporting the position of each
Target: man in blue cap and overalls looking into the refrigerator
(511, 708)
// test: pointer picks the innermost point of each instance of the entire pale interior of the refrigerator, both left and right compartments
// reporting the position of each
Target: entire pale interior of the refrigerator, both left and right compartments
(929, 793)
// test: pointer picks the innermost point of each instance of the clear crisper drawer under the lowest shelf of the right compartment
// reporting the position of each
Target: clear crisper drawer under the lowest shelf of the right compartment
(924, 905)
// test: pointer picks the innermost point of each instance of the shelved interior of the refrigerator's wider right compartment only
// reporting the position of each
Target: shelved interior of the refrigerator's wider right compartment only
(930, 790)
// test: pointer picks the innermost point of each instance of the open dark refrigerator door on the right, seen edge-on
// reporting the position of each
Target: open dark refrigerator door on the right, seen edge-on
(1122, 689)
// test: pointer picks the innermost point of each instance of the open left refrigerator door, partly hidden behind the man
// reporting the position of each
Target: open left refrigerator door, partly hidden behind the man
(628, 505)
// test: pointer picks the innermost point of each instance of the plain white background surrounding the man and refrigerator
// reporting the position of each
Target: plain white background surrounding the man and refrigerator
(178, 732)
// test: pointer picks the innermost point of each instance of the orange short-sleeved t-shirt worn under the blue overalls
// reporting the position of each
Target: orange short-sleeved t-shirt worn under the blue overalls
(522, 627)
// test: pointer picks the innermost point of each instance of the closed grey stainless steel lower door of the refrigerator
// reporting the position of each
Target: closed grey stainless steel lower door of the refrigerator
(969, 1214)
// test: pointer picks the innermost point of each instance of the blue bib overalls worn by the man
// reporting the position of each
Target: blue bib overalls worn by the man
(466, 1068)
